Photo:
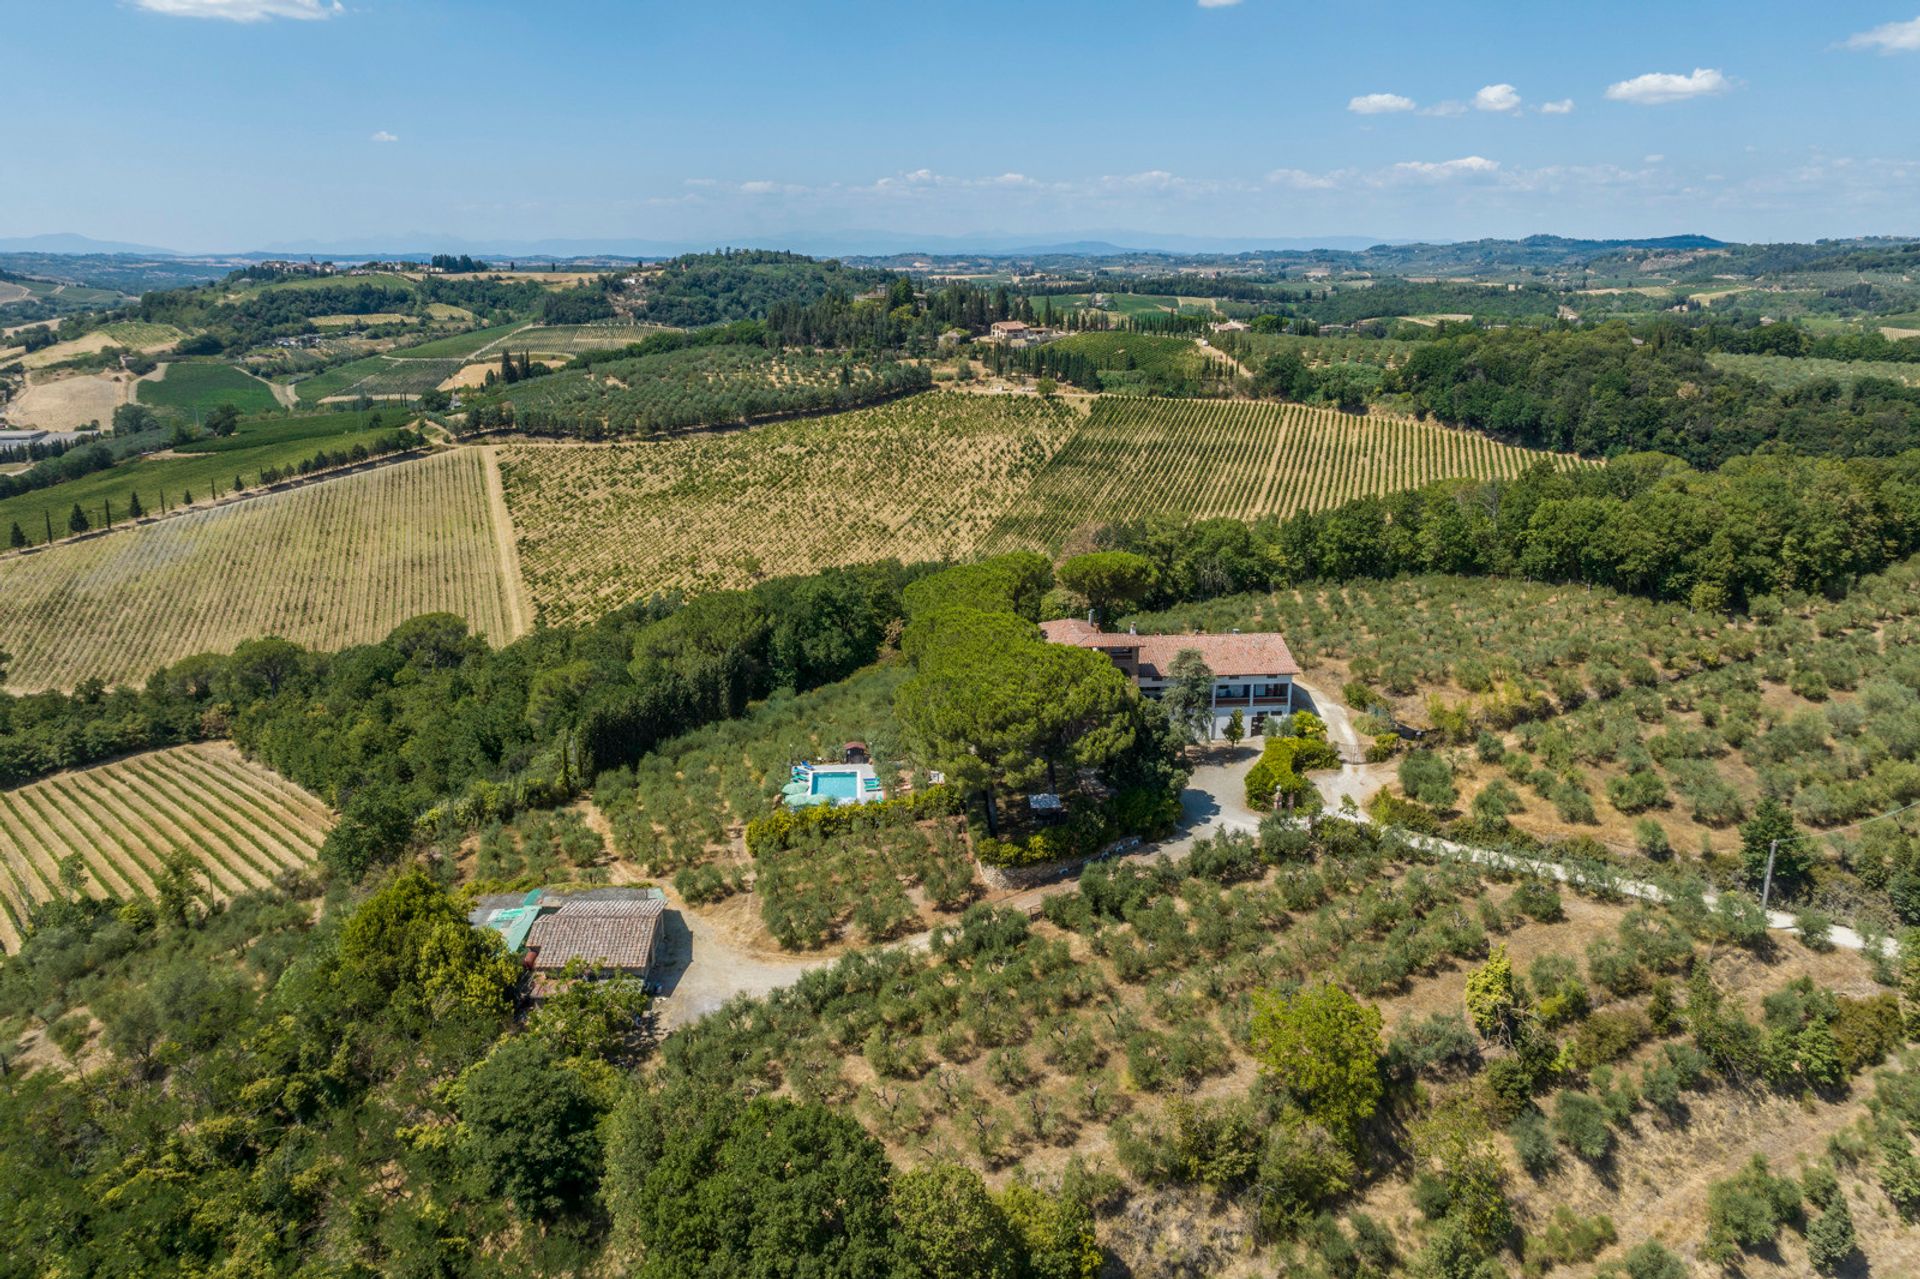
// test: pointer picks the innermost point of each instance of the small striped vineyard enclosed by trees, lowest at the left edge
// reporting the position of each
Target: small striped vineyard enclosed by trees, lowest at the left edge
(110, 831)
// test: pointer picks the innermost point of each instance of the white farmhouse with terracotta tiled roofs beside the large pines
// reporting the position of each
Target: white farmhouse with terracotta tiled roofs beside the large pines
(1253, 673)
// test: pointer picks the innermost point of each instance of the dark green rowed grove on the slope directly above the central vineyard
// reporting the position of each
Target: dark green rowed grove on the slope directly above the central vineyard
(702, 387)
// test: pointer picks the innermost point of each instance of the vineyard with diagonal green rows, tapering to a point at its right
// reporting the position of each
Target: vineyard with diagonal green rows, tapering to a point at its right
(1201, 460)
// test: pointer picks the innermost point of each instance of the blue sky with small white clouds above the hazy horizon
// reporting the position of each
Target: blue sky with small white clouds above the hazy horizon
(245, 124)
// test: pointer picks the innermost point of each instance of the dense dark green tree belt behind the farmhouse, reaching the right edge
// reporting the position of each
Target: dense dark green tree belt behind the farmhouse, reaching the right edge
(1646, 525)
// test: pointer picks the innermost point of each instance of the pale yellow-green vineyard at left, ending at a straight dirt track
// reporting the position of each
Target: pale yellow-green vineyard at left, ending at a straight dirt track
(327, 566)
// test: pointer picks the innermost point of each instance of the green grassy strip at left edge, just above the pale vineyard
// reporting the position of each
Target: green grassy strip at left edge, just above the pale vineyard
(197, 470)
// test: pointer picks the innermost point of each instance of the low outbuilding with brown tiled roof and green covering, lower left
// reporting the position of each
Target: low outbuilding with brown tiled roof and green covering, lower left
(610, 930)
